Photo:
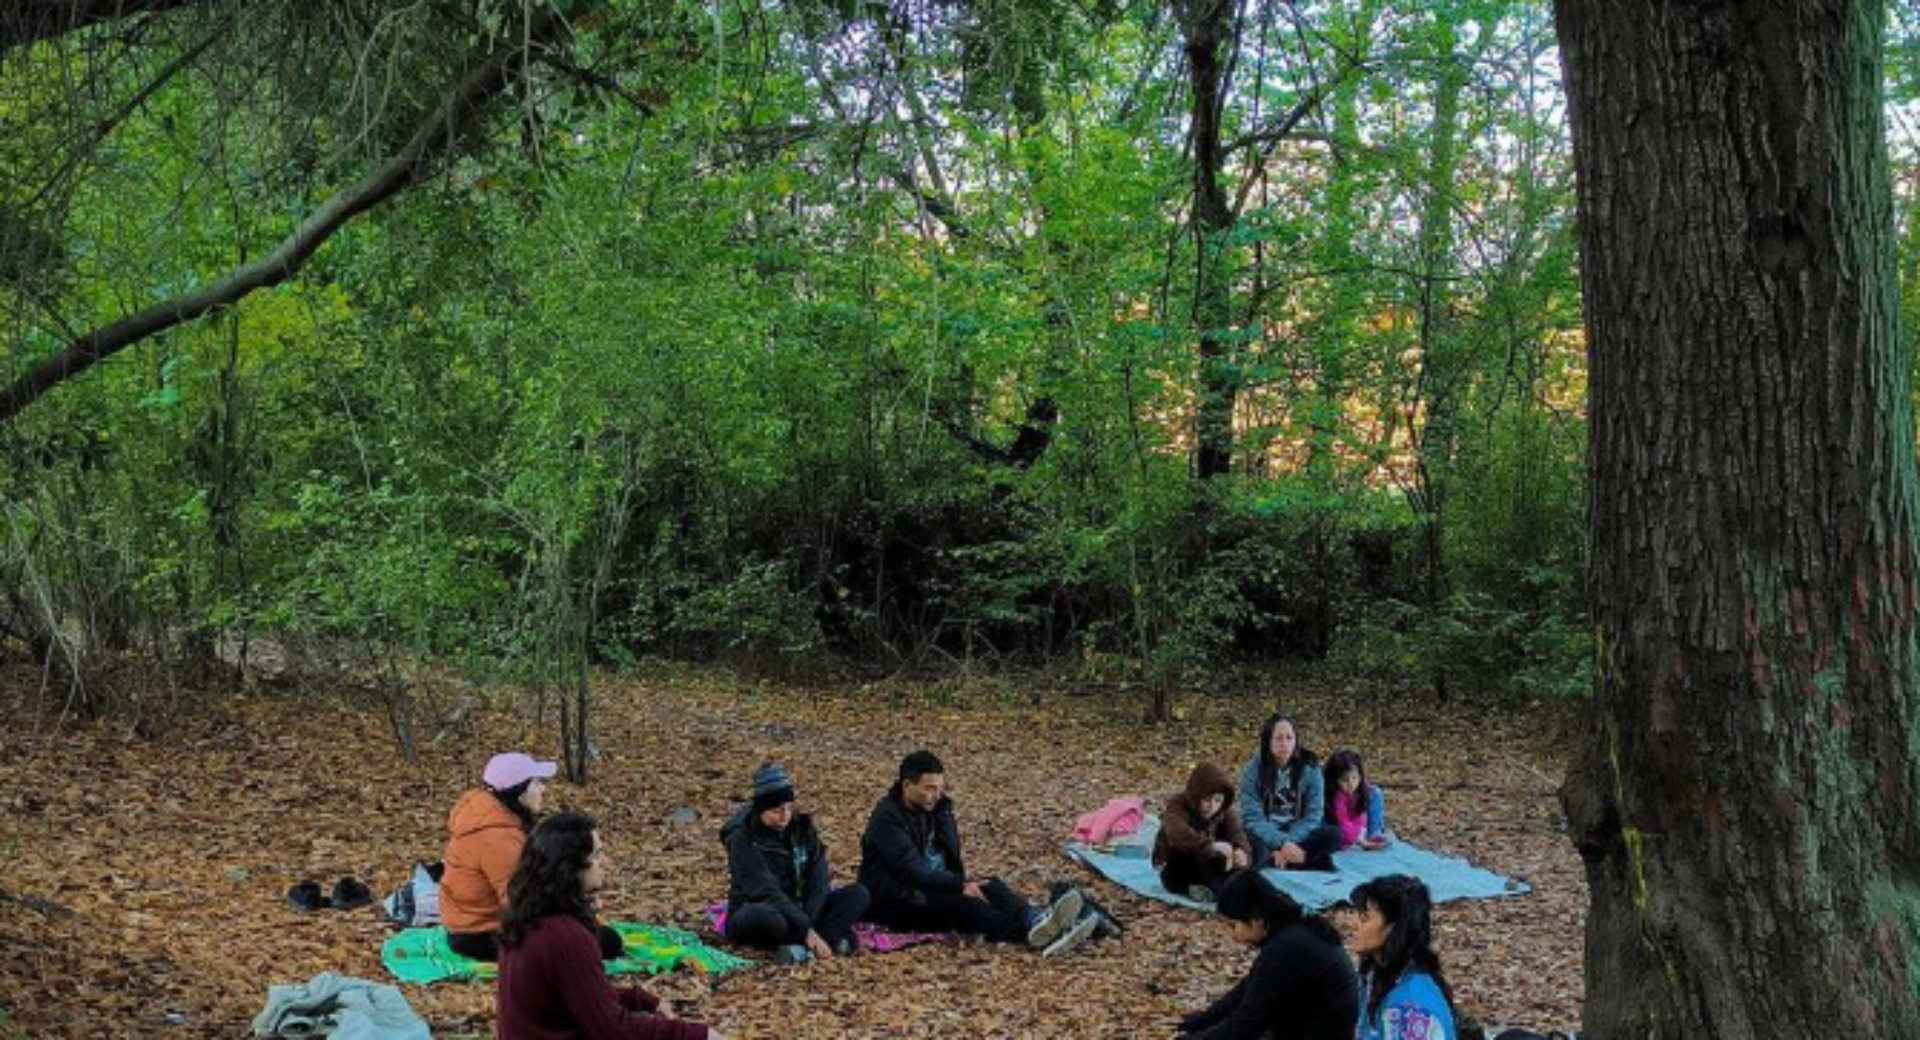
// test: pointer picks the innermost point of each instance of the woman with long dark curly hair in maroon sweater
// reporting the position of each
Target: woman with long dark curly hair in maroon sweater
(552, 985)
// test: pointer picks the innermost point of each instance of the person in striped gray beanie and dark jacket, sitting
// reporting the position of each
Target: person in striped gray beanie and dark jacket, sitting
(780, 887)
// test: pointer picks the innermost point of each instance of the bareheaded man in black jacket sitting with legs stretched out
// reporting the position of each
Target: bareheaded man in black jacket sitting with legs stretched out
(911, 864)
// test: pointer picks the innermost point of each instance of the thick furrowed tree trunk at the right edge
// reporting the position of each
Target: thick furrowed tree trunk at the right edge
(1746, 801)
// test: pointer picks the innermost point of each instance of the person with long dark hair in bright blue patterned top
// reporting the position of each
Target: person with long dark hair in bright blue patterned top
(1404, 995)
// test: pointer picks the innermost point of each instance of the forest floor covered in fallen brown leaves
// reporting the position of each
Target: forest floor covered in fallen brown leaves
(143, 878)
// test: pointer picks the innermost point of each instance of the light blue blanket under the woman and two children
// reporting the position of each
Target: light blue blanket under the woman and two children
(1447, 878)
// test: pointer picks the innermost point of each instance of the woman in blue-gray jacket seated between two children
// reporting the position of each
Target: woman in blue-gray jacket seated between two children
(1284, 803)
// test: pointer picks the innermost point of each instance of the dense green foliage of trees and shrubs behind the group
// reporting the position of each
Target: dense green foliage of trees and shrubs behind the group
(692, 360)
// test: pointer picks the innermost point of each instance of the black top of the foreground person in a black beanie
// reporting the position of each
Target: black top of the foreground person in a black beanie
(1301, 987)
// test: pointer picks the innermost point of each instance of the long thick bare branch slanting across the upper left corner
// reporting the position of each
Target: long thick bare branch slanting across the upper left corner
(443, 131)
